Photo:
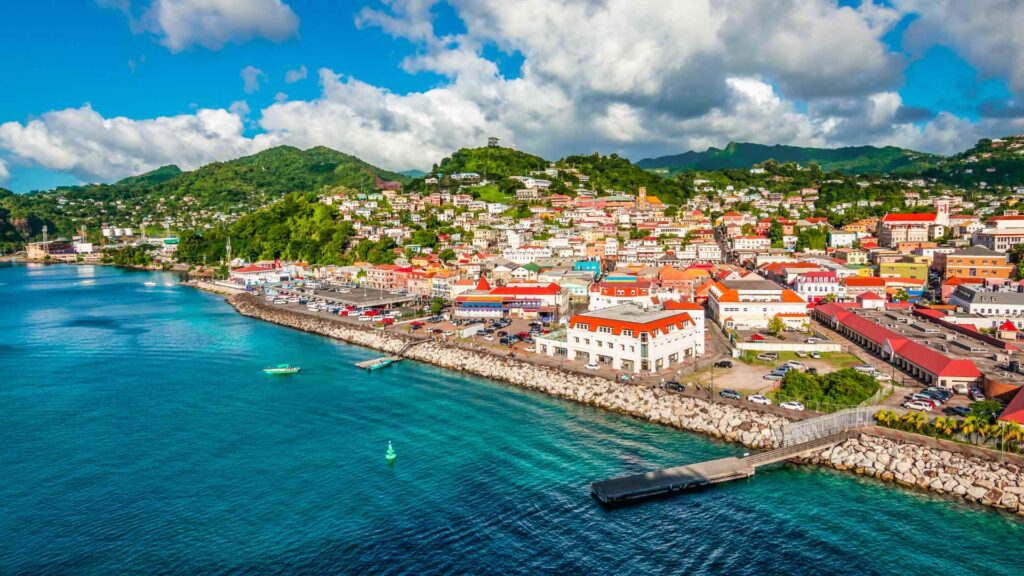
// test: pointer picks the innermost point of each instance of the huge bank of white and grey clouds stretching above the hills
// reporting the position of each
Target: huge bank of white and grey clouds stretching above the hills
(638, 78)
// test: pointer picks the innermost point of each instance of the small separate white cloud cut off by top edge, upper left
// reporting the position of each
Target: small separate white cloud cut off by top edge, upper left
(211, 24)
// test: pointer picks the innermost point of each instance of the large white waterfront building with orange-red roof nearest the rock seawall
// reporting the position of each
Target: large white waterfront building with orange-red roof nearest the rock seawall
(629, 339)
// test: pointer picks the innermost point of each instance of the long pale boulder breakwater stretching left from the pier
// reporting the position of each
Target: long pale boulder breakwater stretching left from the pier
(734, 424)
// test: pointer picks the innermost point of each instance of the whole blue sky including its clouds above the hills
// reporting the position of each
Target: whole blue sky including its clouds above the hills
(409, 81)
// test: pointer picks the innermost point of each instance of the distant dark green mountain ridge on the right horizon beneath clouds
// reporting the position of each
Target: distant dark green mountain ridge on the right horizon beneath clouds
(855, 160)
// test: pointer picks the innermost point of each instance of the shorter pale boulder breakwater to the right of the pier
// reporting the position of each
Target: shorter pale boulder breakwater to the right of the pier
(971, 478)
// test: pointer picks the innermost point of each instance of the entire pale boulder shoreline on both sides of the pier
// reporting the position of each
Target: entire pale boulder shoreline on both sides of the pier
(970, 477)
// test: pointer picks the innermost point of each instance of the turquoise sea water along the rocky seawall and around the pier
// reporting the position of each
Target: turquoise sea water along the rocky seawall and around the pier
(139, 435)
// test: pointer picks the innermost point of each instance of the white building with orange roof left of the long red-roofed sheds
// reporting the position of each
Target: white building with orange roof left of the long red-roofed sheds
(752, 303)
